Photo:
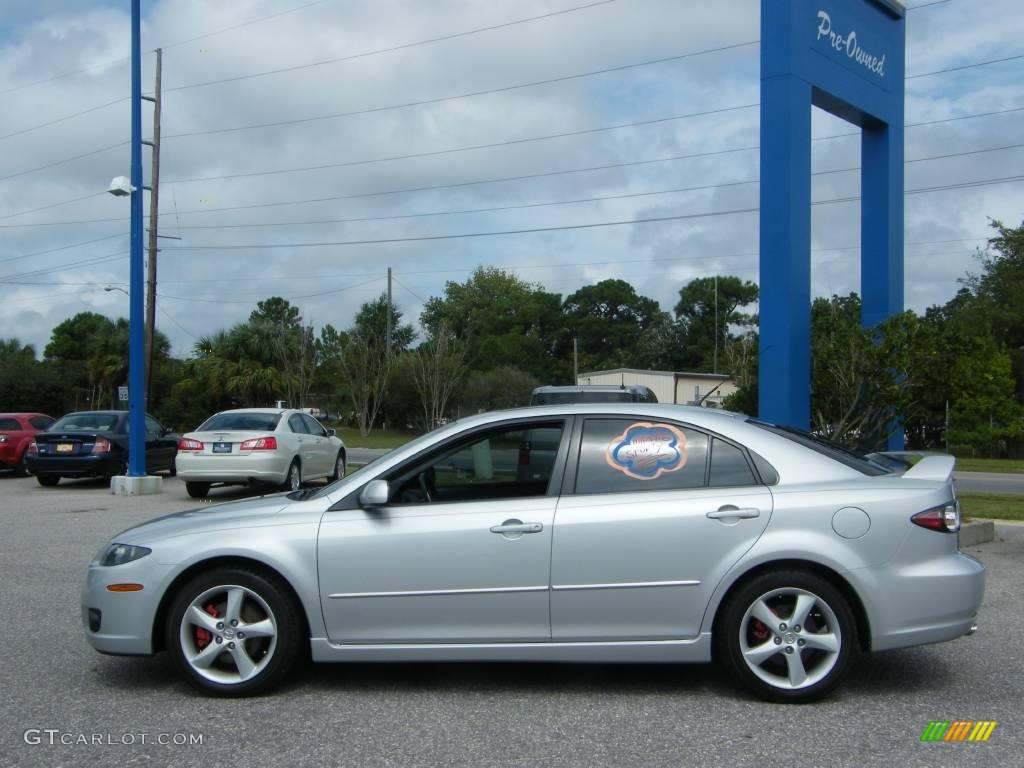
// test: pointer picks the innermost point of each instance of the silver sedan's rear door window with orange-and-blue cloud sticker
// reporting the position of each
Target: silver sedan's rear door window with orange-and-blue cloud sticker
(631, 455)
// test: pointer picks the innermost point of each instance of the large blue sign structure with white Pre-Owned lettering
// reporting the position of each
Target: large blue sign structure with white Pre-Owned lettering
(845, 57)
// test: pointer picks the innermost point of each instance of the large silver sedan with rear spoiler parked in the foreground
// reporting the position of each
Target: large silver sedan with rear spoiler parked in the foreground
(589, 533)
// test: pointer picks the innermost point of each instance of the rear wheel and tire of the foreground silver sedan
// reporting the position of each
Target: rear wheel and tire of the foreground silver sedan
(823, 649)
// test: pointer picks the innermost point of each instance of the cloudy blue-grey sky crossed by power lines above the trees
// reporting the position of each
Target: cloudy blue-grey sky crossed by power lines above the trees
(257, 104)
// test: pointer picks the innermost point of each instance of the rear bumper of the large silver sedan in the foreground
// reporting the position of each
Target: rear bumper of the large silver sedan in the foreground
(925, 603)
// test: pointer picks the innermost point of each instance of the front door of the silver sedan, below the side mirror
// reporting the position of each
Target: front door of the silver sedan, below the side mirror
(460, 554)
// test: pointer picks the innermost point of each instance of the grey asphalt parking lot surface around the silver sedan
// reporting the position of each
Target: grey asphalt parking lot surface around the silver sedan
(463, 715)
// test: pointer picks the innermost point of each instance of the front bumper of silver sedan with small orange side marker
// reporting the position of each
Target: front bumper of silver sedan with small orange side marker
(125, 619)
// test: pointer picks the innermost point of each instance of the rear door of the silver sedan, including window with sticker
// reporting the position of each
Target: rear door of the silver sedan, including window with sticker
(658, 513)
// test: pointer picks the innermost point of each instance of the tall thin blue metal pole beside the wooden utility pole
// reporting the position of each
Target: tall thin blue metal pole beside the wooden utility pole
(137, 337)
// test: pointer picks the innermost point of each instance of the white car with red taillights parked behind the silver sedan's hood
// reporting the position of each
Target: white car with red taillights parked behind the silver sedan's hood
(259, 445)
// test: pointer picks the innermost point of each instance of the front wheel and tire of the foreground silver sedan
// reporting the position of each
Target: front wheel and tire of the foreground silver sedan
(273, 659)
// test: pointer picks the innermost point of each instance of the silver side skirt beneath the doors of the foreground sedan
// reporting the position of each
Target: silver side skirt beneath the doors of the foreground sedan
(643, 652)
